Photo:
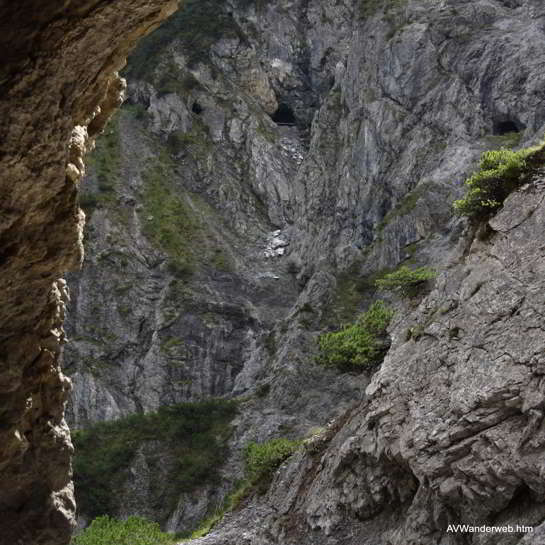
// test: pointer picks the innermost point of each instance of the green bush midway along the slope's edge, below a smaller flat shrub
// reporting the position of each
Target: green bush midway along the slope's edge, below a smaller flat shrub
(360, 344)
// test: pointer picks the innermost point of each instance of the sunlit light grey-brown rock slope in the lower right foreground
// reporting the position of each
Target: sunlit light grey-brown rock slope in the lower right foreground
(452, 428)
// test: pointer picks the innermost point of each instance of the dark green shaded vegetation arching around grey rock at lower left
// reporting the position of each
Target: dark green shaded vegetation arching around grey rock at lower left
(194, 433)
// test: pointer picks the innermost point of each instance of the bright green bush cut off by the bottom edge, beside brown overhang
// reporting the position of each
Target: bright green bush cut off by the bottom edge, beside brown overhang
(133, 531)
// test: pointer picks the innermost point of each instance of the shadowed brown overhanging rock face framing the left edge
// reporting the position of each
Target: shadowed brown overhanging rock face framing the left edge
(58, 85)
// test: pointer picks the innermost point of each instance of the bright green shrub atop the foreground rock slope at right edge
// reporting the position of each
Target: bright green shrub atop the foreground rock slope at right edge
(500, 172)
